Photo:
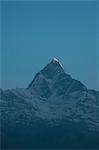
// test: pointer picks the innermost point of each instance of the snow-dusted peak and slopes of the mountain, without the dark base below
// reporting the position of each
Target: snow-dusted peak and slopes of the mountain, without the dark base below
(53, 97)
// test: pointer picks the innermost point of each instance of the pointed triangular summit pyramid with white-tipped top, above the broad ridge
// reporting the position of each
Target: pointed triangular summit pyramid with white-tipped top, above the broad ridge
(52, 80)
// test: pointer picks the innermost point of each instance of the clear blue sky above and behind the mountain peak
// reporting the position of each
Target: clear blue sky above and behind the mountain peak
(35, 32)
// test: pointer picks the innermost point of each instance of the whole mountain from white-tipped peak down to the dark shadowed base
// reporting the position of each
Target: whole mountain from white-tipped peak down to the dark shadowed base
(54, 111)
